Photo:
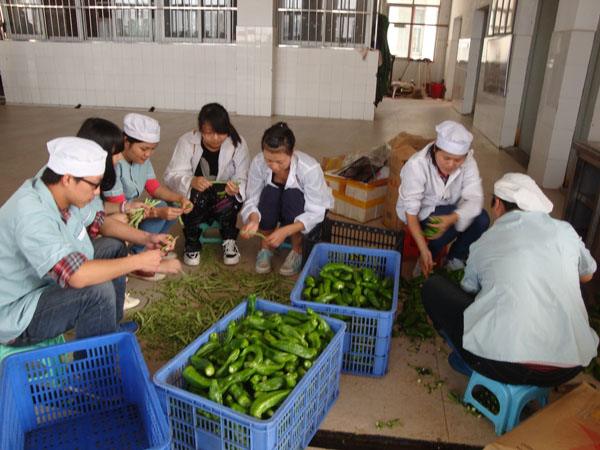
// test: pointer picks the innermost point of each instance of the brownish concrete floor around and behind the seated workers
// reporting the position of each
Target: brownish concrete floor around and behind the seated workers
(363, 401)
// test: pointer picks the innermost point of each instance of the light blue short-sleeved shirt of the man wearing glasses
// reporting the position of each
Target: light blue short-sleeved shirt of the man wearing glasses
(33, 238)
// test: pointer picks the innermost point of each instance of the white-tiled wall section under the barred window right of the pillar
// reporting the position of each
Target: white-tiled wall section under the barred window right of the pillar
(333, 83)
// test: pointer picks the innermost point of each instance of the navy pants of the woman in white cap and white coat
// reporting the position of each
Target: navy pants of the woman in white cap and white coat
(464, 239)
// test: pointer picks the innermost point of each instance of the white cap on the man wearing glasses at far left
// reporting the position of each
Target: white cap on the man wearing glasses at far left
(76, 156)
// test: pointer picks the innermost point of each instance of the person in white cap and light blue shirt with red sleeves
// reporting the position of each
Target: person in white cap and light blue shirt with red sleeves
(134, 174)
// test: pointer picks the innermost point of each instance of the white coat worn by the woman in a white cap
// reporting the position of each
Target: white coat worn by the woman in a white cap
(423, 189)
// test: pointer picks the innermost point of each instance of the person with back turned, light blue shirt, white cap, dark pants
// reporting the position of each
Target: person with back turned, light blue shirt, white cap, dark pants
(520, 317)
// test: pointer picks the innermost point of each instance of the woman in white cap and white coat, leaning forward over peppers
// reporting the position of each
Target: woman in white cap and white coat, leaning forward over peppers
(442, 182)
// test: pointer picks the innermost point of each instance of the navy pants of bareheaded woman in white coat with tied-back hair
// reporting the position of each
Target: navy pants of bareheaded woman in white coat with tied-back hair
(278, 205)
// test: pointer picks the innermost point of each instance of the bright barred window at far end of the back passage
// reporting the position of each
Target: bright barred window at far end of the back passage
(413, 28)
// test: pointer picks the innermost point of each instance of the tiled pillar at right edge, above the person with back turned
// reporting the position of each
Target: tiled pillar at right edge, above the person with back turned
(568, 60)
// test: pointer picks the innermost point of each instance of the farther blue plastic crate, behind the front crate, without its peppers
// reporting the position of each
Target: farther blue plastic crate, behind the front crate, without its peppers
(369, 331)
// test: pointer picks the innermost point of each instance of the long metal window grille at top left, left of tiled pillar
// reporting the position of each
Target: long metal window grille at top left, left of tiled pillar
(121, 20)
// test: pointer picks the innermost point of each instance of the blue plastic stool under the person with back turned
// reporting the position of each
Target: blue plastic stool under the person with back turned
(511, 397)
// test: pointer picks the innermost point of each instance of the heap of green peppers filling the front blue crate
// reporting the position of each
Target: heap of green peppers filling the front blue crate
(260, 360)
